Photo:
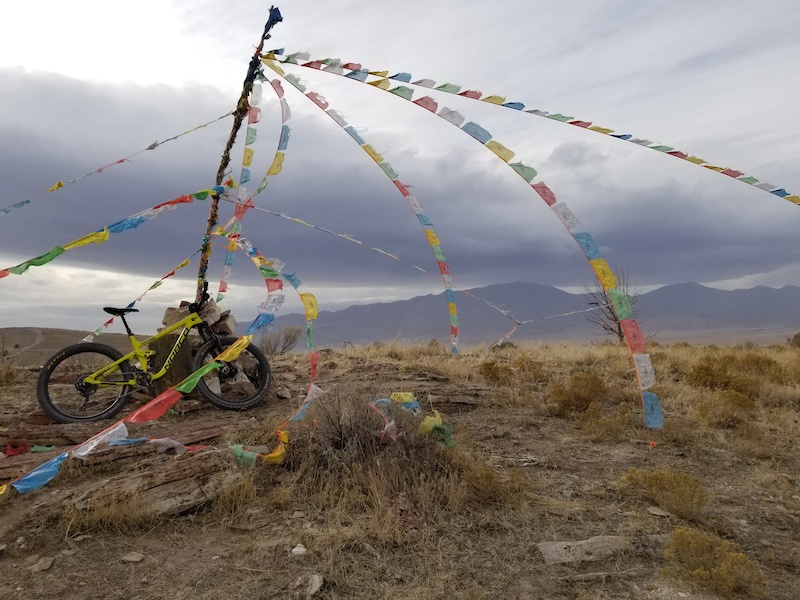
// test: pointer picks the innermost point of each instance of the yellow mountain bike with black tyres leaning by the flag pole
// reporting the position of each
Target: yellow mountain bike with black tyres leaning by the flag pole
(91, 382)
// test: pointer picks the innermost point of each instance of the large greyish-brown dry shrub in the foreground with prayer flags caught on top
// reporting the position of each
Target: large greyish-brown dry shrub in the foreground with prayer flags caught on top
(340, 464)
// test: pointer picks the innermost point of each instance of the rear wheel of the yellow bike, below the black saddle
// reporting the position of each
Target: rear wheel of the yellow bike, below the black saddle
(66, 396)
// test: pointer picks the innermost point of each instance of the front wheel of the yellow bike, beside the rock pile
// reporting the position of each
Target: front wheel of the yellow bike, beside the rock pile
(239, 384)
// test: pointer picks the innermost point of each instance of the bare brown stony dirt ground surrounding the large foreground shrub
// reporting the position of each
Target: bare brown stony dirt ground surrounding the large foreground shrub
(493, 553)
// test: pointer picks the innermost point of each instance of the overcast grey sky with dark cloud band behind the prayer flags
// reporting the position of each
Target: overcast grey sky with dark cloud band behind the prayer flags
(86, 83)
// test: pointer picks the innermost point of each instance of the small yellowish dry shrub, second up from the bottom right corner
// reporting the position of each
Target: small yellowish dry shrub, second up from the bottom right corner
(677, 492)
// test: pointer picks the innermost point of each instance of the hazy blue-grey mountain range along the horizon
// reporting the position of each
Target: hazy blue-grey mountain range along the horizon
(680, 312)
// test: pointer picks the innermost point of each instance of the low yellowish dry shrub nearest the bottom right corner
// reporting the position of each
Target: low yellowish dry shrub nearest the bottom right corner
(714, 564)
